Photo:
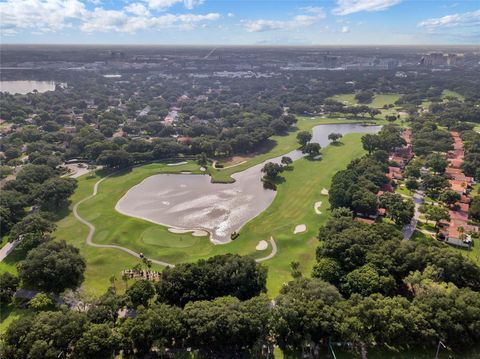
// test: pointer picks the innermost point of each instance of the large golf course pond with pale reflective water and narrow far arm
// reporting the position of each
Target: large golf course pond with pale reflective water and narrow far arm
(186, 201)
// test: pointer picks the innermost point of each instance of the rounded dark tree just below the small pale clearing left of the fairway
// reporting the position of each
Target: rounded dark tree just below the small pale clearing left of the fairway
(55, 192)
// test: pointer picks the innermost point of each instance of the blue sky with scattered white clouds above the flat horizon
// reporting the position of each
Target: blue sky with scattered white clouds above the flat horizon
(240, 22)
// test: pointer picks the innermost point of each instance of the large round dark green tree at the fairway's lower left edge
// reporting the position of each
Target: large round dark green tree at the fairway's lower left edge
(53, 267)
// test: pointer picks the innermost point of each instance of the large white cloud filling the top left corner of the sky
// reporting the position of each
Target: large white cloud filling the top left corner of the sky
(41, 15)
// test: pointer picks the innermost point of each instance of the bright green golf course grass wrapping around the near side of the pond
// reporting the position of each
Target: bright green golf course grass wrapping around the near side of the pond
(290, 207)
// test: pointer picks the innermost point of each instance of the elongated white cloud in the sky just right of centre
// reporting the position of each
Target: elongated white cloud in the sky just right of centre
(296, 22)
